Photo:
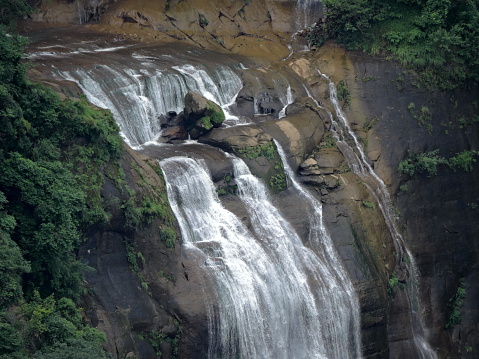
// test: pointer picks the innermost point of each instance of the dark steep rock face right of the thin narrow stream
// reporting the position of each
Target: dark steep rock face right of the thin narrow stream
(437, 213)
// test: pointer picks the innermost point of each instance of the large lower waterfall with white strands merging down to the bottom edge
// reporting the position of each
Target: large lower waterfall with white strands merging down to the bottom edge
(267, 306)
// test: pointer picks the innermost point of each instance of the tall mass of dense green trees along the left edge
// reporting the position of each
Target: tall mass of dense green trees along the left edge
(51, 156)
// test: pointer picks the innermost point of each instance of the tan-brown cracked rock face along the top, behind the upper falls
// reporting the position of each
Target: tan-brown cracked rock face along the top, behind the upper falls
(250, 28)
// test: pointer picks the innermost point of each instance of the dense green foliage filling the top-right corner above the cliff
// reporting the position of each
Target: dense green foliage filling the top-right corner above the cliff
(438, 38)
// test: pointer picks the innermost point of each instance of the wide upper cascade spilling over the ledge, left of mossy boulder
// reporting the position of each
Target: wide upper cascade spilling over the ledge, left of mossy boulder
(137, 98)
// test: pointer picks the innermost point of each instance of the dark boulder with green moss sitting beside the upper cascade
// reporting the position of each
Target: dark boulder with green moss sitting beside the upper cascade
(201, 115)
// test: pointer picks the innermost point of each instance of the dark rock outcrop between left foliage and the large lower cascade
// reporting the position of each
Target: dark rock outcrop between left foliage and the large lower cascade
(143, 291)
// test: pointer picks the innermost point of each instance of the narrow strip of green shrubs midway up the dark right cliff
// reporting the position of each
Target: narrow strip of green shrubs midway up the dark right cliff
(426, 163)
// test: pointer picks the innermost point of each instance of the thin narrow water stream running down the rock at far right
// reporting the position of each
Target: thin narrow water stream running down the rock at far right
(356, 160)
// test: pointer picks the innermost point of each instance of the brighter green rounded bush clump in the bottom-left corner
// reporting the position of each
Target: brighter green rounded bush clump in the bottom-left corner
(48, 329)
